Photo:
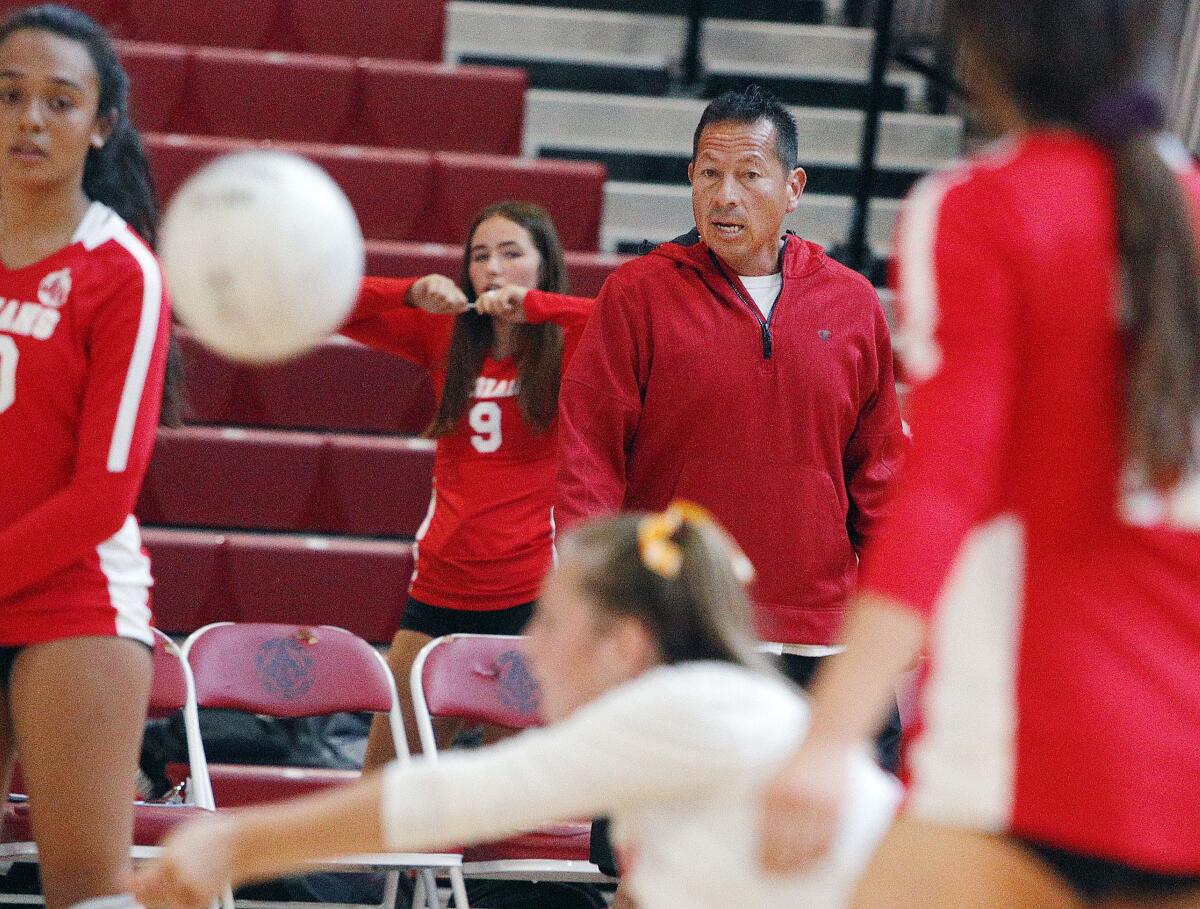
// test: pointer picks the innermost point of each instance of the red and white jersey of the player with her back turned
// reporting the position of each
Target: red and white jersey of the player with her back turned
(1063, 695)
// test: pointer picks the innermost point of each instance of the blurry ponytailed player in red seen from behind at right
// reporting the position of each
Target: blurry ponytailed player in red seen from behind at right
(1045, 547)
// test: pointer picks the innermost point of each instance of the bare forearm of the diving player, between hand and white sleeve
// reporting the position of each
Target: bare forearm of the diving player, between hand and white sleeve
(274, 841)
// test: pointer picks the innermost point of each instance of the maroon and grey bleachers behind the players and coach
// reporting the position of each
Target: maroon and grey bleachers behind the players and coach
(295, 492)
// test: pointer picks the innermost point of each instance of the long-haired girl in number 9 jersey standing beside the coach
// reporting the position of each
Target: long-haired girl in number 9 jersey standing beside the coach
(496, 348)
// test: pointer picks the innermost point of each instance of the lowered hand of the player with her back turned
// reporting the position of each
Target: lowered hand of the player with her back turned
(802, 805)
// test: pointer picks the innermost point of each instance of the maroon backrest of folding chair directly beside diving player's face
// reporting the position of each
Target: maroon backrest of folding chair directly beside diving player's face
(479, 678)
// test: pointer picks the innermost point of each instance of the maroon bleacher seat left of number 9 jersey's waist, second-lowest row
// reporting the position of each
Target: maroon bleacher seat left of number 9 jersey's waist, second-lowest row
(361, 467)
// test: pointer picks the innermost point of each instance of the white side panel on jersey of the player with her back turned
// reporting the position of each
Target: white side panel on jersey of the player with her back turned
(964, 763)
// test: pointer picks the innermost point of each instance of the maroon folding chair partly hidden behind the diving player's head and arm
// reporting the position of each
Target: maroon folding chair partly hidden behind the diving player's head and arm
(485, 679)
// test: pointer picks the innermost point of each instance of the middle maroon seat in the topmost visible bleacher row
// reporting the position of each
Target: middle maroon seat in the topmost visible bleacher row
(215, 23)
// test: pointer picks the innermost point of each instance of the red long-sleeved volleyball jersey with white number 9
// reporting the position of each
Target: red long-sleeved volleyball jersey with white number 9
(488, 540)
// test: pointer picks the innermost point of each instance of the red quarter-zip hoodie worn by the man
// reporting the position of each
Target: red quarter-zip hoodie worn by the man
(787, 429)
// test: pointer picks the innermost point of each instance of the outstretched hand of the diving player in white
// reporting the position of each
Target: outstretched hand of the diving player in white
(196, 865)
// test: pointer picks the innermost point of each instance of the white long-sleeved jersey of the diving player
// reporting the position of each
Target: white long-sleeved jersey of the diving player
(679, 758)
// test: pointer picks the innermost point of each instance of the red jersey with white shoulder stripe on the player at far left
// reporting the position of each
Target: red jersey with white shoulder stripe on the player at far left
(83, 351)
